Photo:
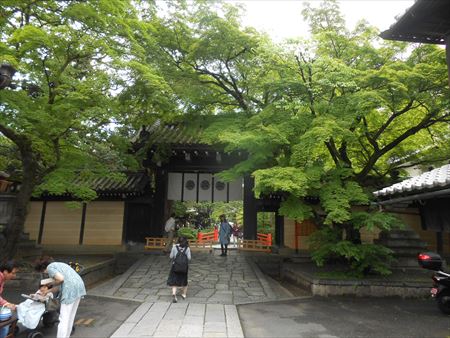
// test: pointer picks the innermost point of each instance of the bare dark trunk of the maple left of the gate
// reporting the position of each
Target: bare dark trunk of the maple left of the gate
(16, 225)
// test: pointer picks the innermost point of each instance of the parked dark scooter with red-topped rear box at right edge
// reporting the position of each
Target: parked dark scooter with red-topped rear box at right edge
(441, 279)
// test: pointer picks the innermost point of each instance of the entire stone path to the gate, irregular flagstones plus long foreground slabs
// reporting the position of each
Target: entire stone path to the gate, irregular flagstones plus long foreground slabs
(216, 286)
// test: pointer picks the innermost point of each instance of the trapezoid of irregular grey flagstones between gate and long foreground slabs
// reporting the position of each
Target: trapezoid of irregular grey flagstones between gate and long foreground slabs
(230, 280)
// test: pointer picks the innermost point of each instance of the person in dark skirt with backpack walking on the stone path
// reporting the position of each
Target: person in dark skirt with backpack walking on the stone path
(180, 255)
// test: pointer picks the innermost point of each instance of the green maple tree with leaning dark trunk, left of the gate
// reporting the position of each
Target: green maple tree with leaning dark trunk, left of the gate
(73, 58)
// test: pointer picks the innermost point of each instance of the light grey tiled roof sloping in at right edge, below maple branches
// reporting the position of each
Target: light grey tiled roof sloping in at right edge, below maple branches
(431, 180)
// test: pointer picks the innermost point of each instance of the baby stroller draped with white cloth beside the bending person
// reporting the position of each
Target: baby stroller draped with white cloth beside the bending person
(35, 313)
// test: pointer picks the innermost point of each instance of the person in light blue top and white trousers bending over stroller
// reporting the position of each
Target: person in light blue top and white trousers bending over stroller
(71, 291)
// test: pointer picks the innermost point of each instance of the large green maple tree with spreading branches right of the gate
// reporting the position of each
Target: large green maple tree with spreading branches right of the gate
(330, 118)
